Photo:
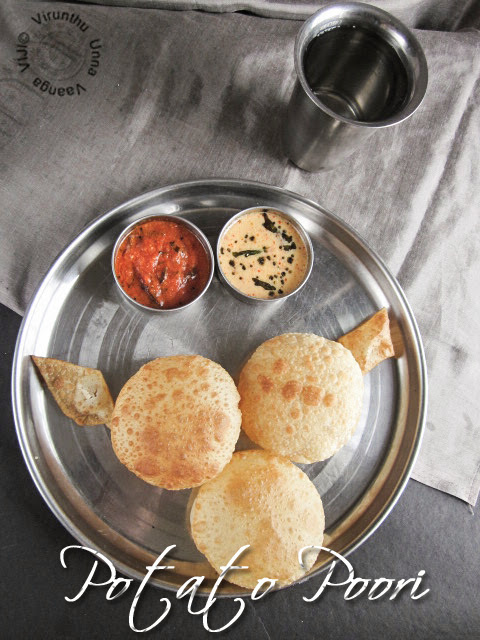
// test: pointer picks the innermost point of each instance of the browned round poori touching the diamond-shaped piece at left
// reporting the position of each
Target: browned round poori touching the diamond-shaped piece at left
(176, 421)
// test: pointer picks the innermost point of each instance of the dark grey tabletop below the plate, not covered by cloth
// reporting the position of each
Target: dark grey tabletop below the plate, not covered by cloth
(427, 530)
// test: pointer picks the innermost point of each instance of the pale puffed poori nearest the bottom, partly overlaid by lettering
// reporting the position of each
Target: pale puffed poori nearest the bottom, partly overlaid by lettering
(267, 502)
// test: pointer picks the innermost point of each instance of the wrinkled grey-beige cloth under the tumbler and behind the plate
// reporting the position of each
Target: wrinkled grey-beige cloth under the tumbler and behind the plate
(99, 104)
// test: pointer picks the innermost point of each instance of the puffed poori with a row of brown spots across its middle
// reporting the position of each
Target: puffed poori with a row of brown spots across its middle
(301, 396)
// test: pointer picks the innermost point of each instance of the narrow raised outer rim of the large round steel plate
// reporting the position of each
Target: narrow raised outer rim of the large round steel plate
(234, 184)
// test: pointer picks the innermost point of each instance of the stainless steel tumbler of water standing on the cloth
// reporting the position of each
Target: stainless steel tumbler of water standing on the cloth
(358, 69)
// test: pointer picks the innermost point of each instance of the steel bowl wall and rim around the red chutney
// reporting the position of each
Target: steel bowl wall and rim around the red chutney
(193, 229)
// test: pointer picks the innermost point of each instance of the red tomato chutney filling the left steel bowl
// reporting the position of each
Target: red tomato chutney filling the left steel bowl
(162, 264)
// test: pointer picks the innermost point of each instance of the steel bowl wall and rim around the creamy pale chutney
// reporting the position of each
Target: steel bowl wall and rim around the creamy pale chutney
(303, 236)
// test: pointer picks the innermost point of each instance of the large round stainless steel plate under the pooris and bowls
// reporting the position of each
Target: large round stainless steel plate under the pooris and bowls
(78, 315)
